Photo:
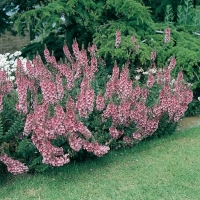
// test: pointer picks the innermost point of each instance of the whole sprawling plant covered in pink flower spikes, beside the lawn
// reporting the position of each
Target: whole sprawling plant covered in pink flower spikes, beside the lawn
(120, 102)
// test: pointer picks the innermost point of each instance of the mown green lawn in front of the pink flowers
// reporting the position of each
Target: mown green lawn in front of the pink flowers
(166, 168)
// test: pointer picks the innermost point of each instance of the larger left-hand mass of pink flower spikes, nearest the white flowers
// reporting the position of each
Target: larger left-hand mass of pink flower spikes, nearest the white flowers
(40, 122)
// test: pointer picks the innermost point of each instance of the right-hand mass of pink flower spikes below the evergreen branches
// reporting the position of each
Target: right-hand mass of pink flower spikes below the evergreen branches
(174, 98)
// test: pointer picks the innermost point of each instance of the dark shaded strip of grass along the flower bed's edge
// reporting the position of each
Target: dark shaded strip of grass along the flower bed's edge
(80, 168)
